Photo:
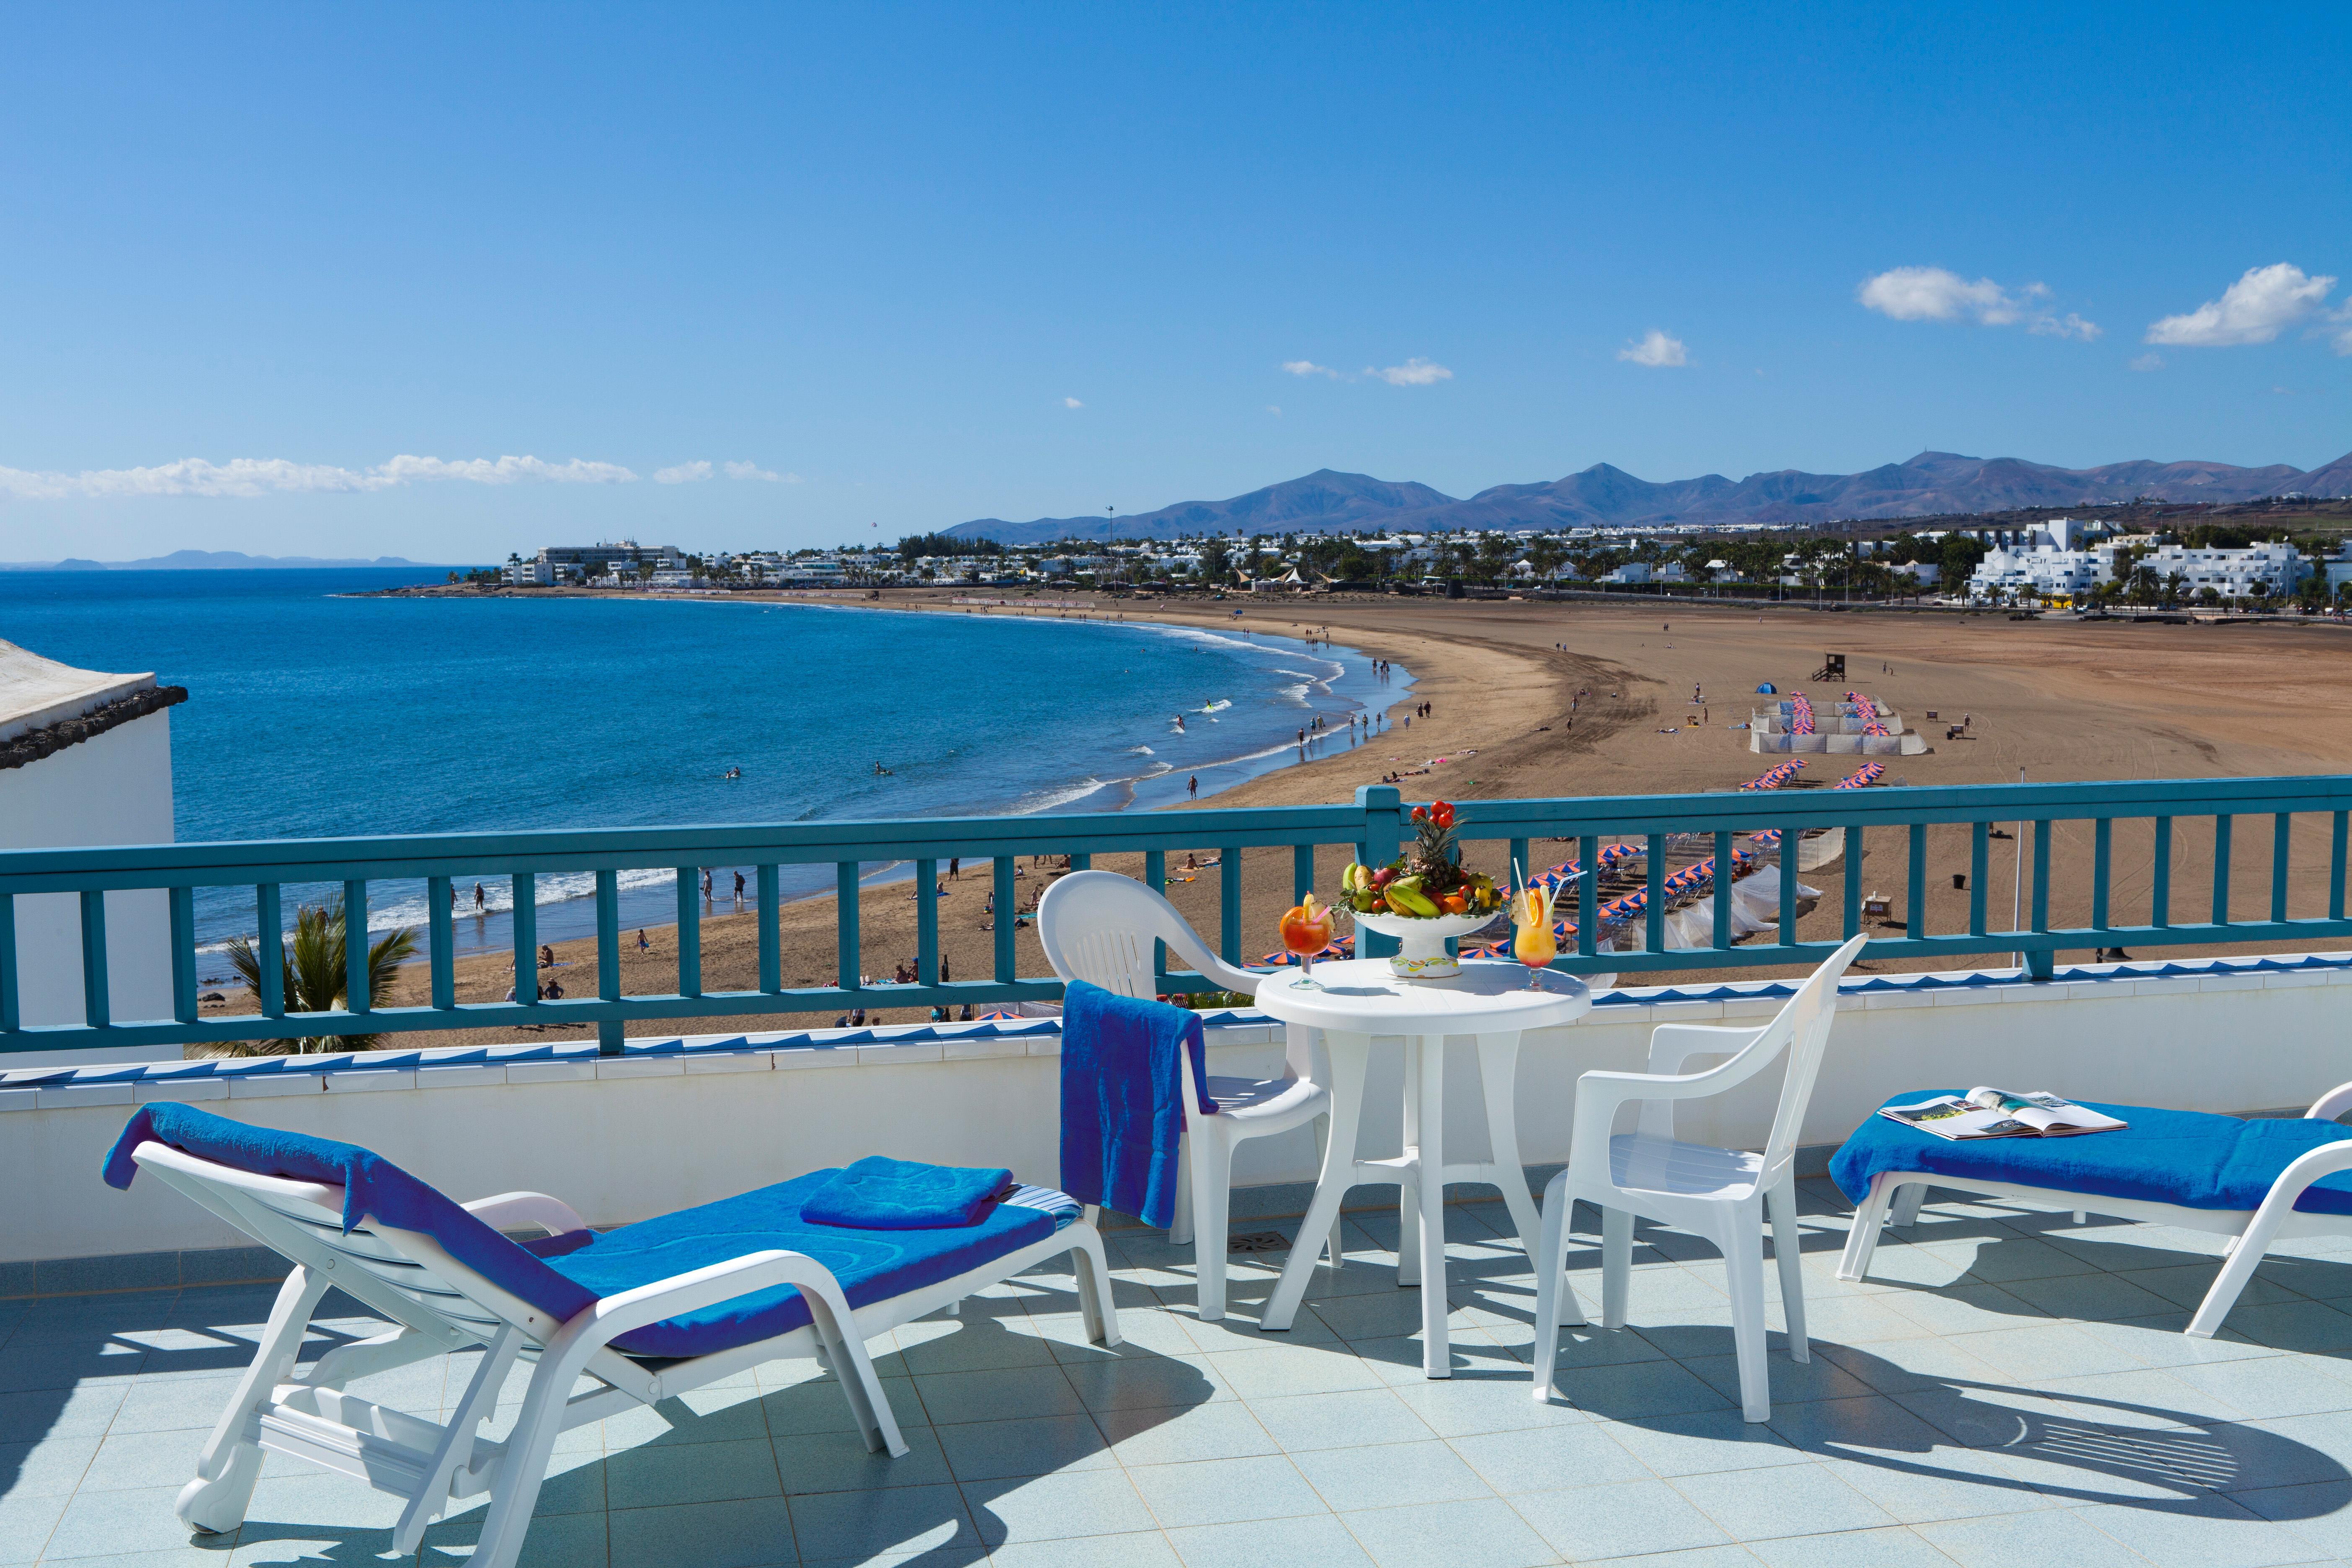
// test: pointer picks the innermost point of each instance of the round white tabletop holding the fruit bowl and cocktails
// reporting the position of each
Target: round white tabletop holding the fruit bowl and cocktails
(1365, 998)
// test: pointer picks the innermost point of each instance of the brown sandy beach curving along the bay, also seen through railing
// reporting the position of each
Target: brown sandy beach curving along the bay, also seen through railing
(2064, 702)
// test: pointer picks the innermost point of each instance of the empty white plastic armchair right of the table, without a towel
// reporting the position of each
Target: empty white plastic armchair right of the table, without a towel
(1720, 1195)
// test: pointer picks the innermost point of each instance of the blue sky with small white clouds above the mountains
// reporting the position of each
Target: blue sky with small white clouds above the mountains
(907, 267)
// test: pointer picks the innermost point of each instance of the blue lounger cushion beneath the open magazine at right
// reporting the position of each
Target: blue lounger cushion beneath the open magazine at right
(2184, 1158)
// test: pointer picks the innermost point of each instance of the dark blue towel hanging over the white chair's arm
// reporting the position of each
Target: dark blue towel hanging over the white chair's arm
(1121, 1099)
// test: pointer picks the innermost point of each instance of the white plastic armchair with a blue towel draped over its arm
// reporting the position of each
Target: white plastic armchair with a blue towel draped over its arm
(1100, 927)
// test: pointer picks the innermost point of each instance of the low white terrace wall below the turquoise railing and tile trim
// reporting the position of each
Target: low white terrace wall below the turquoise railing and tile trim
(629, 1139)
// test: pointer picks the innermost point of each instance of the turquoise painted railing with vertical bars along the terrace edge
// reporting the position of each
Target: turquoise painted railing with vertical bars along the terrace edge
(1372, 829)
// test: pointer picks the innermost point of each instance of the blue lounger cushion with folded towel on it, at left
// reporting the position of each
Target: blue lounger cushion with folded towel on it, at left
(566, 1275)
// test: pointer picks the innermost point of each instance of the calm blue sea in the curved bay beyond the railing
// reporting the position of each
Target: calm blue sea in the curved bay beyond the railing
(319, 716)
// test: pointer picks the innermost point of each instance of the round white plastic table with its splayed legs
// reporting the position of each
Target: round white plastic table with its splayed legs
(1358, 1000)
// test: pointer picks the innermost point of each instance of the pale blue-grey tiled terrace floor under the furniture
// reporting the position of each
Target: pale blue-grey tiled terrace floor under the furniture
(2012, 1391)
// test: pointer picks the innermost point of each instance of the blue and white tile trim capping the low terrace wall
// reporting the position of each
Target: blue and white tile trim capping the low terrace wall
(930, 1043)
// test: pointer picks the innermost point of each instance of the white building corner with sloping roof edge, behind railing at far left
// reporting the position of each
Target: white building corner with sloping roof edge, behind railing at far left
(86, 758)
